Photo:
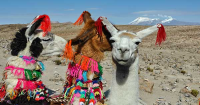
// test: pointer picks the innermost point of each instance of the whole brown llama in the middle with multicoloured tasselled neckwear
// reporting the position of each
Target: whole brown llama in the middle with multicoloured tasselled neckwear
(84, 74)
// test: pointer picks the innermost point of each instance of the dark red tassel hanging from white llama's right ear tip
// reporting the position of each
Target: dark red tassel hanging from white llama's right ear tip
(161, 35)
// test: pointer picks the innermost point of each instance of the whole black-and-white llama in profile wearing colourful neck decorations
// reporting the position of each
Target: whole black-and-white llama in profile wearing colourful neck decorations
(21, 74)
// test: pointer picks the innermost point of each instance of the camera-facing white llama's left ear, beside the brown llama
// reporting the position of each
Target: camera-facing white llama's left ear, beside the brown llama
(113, 31)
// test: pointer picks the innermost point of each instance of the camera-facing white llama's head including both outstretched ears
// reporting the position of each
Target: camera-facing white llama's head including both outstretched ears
(125, 44)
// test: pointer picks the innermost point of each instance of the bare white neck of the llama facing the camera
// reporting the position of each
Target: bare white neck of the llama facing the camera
(124, 88)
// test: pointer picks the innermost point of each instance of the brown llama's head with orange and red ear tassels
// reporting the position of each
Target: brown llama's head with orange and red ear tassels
(90, 41)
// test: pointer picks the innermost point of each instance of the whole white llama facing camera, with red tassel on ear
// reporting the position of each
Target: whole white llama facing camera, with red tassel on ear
(125, 86)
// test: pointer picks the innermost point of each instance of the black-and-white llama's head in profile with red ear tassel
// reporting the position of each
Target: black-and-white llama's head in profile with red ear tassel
(35, 39)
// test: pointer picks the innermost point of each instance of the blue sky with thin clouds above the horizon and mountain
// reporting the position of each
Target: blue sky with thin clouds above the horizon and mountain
(117, 11)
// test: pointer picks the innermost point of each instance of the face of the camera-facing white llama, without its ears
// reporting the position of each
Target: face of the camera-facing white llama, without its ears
(124, 47)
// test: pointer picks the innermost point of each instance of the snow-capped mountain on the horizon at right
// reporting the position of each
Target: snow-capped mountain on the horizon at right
(153, 21)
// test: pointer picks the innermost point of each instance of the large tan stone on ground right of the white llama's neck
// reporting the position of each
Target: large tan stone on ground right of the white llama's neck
(146, 85)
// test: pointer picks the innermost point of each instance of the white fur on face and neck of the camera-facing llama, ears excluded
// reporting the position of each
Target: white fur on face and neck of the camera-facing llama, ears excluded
(124, 88)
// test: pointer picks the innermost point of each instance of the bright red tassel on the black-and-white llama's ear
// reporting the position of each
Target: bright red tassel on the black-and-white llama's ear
(45, 24)
